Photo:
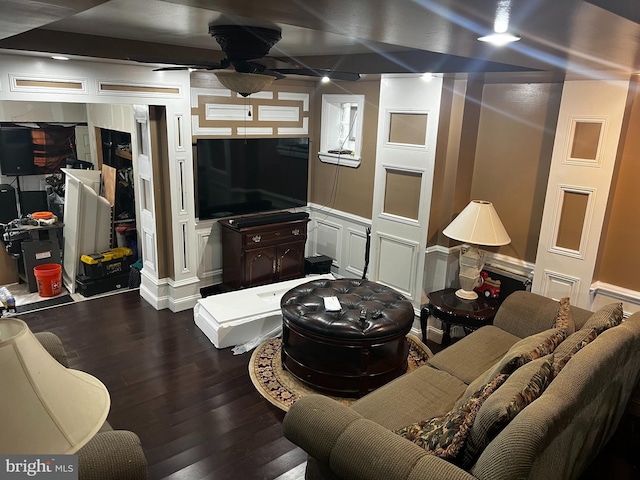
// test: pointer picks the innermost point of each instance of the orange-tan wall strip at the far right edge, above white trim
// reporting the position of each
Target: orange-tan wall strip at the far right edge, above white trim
(619, 261)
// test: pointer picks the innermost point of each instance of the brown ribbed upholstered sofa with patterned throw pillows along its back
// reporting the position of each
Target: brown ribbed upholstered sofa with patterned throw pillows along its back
(553, 432)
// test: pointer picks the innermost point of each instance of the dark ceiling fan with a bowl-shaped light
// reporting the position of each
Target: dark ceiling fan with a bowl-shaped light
(240, 70)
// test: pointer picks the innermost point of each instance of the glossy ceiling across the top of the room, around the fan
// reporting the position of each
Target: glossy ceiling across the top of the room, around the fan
(371, 36)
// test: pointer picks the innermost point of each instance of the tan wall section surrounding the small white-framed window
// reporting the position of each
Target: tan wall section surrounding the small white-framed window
(339, 187)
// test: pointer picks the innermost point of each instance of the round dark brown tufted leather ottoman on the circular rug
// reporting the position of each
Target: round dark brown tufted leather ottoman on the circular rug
(348, 352)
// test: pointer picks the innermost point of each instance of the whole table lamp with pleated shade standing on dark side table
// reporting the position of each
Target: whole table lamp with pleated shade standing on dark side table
(477, 224)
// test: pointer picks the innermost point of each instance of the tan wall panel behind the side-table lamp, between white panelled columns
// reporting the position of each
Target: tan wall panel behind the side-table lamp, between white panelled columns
(513, 155)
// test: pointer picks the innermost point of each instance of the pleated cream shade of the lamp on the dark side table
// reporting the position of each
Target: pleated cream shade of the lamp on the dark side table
(478, 224)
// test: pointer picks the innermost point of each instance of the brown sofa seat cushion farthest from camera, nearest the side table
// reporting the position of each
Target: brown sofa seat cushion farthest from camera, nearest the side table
(471, 355)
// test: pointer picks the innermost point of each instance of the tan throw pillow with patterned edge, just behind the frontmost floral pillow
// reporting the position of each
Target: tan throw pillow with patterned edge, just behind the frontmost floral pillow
(524, 386)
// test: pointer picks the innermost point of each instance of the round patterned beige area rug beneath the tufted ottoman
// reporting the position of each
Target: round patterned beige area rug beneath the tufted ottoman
(282, 389)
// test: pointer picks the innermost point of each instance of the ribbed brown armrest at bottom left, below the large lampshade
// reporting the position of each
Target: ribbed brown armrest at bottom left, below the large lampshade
(112, 454)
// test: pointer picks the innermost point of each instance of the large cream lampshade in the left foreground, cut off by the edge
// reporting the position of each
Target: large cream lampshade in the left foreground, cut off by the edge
(45, 408)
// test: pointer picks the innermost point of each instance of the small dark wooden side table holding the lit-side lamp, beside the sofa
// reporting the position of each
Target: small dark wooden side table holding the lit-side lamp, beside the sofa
(451, 310)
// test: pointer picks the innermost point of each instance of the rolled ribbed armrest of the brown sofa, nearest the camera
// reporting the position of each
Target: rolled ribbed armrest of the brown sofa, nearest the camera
(354, 447)
